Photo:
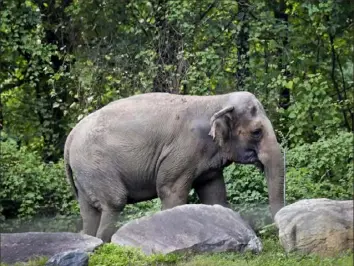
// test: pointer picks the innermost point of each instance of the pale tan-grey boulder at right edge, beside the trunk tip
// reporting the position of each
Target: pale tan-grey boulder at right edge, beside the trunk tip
(320, 226)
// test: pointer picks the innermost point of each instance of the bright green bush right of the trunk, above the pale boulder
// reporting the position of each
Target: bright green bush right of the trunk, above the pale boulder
(322, 169)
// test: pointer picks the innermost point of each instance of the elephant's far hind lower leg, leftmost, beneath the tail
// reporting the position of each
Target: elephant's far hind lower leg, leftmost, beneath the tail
(90, 217)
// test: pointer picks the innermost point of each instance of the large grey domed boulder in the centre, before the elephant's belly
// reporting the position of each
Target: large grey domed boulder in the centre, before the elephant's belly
(189, 228)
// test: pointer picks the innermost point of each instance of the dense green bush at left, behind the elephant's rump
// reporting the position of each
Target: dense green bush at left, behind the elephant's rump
(30, 187)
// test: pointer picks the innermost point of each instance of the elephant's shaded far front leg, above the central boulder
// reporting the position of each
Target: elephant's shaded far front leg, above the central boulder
(212, 190)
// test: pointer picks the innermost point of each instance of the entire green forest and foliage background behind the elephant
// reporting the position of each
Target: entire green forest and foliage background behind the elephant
(62, 59)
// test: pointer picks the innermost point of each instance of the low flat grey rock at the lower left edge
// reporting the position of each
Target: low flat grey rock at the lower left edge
(21, 247)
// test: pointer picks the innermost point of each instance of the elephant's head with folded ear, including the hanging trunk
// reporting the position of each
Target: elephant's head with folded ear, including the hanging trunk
(245, 135)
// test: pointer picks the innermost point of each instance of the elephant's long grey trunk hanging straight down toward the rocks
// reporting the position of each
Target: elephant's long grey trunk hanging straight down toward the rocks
(272, 159)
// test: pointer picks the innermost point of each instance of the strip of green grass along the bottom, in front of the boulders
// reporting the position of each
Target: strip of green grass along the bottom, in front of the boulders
(272, 255)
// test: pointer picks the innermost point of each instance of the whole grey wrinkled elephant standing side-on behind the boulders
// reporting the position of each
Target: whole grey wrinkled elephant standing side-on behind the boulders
(163, 145)
